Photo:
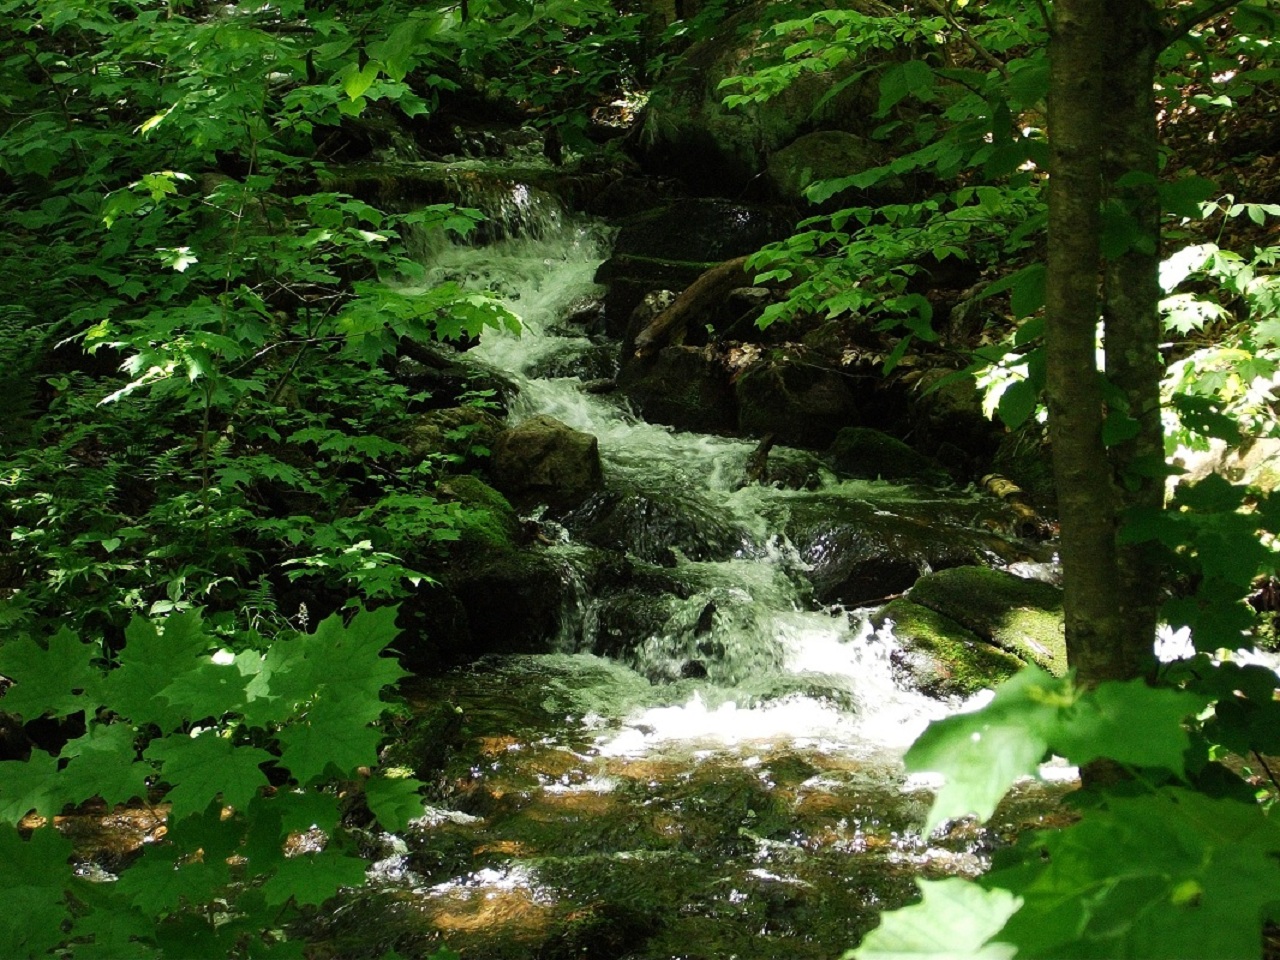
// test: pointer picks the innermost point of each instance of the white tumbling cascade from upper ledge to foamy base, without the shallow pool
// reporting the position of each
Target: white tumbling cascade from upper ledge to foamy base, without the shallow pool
(742, 634)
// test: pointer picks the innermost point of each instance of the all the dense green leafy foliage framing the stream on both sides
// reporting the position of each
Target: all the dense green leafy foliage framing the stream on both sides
(203, 433)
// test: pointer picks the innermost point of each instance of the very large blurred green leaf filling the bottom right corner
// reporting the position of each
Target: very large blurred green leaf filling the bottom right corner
(1168, 876)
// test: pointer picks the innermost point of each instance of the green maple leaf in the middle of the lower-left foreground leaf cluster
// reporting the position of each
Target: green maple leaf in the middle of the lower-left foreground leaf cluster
(202, 769)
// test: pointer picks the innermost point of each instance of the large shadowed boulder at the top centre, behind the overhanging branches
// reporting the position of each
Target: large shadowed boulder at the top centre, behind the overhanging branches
(687, 130)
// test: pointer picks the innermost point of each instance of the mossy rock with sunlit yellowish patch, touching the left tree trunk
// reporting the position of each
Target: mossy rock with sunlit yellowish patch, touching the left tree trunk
(1023, 618)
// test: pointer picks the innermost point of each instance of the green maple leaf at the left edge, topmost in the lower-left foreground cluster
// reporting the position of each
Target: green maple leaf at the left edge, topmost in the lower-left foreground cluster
(49, 679)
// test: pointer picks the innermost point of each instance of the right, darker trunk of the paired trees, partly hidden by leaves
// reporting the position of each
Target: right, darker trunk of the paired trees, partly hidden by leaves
(1131, 286)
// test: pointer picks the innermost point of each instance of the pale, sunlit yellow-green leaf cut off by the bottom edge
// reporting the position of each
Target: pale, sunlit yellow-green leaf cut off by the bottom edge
(956, 921)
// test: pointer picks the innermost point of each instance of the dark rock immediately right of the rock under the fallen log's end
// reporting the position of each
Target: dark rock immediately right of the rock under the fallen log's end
(801, 404)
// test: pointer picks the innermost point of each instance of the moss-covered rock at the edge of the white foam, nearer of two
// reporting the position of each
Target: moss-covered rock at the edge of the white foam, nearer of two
(943, 659)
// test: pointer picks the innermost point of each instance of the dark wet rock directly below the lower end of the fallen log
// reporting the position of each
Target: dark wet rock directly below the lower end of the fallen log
(684, 387)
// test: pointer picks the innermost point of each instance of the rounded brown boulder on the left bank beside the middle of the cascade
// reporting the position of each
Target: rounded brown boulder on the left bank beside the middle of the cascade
(546, 461)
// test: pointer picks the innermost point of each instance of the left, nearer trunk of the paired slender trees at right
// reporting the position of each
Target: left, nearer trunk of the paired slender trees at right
(1087, 501)
